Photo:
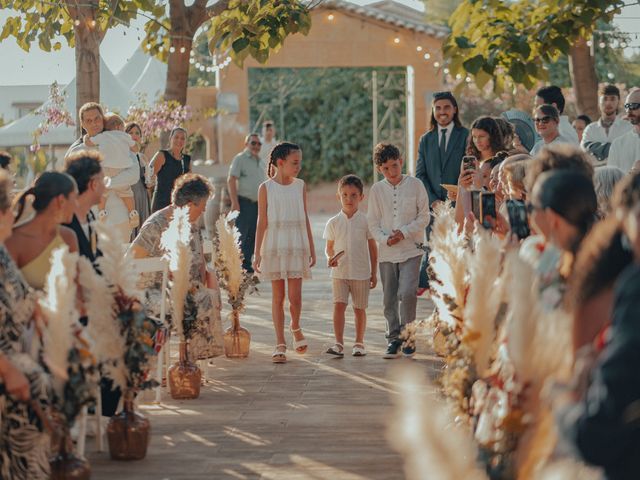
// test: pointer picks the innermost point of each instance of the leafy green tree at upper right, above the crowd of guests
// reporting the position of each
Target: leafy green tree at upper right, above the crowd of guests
(504, 41)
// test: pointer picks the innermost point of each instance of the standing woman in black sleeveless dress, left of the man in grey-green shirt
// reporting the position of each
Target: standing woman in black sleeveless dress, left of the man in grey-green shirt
(167, 166)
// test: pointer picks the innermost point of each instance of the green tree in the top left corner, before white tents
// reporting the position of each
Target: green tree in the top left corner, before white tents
(82, 25)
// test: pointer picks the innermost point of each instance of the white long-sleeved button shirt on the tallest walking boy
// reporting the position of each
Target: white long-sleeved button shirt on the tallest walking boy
(403, 207)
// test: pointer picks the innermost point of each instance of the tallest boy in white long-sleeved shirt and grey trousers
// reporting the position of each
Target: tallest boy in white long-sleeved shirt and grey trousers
(398, 214)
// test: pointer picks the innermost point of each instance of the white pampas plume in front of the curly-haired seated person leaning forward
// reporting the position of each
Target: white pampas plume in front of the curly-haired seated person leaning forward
(176, 242)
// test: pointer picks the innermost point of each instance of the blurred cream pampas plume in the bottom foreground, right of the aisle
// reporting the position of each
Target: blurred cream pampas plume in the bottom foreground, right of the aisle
(423, 431)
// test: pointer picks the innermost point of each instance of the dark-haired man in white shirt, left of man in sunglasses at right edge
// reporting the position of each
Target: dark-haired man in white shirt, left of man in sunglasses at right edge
(598, 136)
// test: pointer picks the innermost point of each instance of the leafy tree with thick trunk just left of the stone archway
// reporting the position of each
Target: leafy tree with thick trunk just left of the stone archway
(242, 27)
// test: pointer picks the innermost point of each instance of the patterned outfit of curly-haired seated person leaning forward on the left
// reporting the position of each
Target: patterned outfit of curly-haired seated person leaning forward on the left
(206, 339)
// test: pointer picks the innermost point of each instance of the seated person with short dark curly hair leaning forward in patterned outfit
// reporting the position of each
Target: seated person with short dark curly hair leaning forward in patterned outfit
(193, 191)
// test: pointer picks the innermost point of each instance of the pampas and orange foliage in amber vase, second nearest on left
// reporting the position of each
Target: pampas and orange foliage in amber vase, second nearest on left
(125, 340)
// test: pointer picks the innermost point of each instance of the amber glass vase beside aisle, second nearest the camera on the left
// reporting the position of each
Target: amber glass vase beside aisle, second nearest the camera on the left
(128, 432)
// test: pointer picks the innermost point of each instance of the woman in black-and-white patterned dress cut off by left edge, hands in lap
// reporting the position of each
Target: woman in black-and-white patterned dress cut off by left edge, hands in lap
(24, 447)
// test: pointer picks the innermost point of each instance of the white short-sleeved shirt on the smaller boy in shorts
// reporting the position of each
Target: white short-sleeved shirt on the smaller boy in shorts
(350, 235)
